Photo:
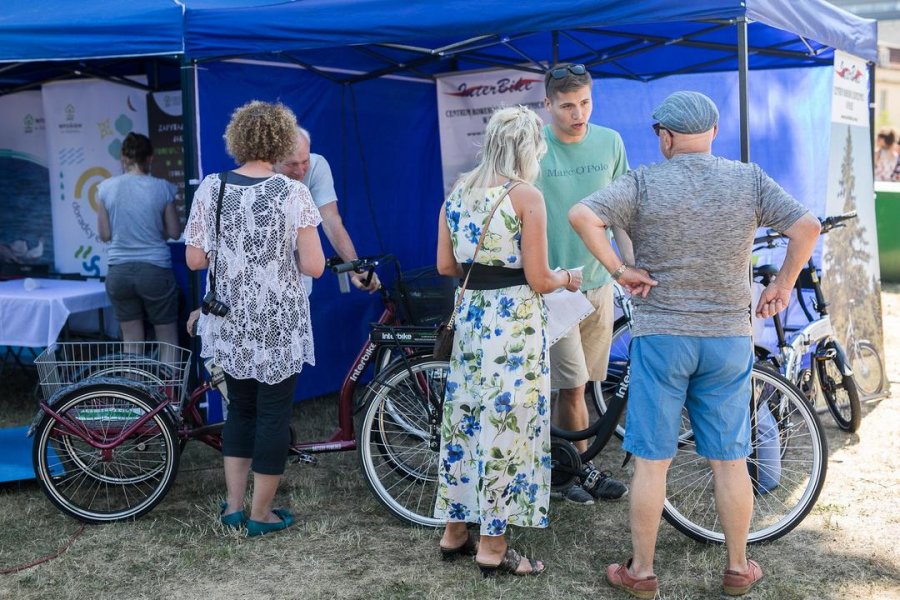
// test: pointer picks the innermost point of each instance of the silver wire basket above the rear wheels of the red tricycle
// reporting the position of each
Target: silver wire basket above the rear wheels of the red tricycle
(156, 365)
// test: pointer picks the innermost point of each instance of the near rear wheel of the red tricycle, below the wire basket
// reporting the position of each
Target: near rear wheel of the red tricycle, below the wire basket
(98, 485)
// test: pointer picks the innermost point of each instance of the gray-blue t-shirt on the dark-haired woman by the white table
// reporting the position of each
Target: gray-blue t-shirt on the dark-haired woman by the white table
(135, 204)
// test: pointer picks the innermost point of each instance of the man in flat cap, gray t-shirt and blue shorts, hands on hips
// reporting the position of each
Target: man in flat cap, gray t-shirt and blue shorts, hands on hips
(692, 220)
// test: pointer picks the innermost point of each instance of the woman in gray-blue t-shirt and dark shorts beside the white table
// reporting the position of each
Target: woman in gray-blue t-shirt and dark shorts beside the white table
(136, 214)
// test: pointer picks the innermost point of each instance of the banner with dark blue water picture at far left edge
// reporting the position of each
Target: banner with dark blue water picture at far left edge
(26, 236)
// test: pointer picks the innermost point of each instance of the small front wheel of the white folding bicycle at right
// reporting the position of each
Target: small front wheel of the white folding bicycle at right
(838, 386)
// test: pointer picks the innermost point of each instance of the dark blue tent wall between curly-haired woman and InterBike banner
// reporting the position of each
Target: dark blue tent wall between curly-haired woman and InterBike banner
(380, 138)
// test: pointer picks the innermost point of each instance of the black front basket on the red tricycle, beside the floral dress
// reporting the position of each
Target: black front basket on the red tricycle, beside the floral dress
(424, 296)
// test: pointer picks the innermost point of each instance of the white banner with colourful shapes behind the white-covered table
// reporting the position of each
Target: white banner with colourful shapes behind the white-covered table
(86, 121)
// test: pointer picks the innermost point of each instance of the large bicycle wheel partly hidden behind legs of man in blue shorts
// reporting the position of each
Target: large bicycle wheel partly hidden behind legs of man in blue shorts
(787, 466)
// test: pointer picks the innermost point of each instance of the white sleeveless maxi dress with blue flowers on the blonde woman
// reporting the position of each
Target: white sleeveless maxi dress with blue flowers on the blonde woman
(495, 435)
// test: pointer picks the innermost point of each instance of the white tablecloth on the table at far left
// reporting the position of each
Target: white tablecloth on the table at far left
(35, 318)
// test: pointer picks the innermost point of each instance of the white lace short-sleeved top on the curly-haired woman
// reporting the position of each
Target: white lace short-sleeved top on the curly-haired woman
(267, 334)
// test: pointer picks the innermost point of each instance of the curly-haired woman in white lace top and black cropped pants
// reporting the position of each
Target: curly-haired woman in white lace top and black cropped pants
(266, 238)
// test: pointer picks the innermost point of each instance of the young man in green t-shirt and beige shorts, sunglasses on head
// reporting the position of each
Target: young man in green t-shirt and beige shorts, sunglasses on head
(582, 158)
